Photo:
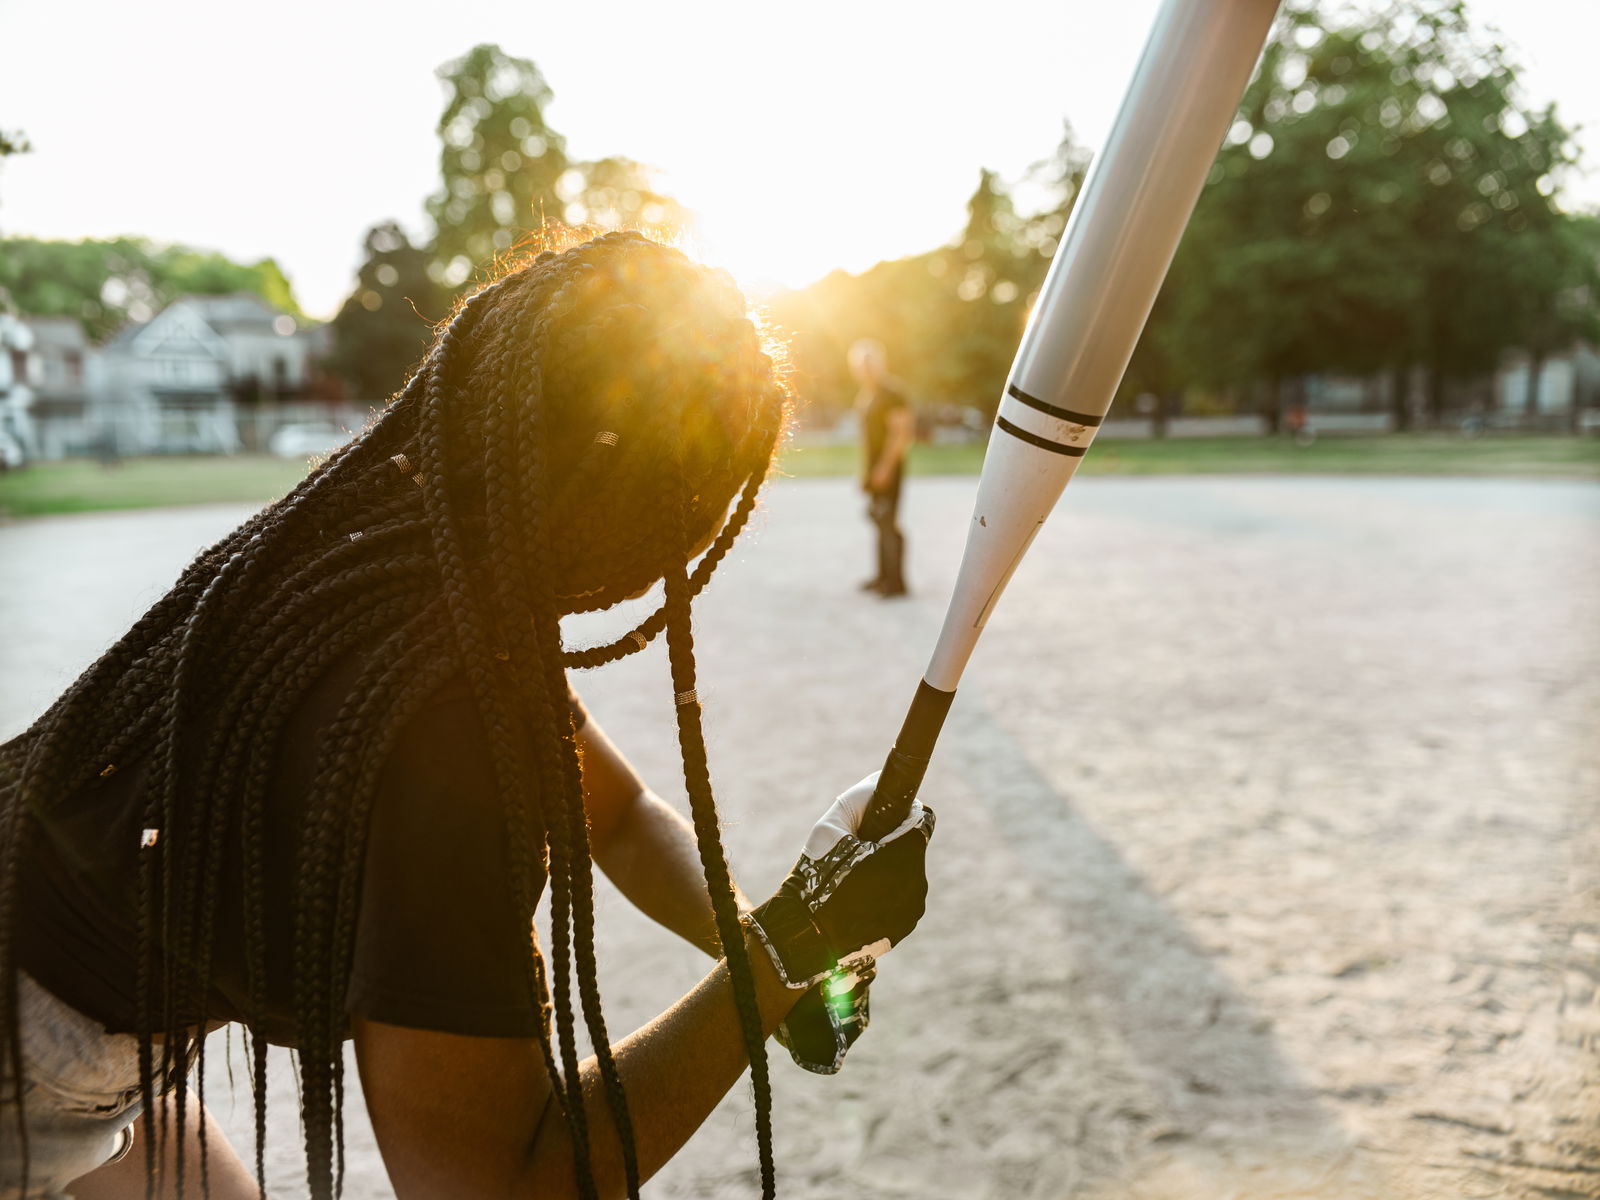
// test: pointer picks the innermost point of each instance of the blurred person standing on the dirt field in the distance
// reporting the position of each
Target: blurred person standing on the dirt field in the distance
(886, 438)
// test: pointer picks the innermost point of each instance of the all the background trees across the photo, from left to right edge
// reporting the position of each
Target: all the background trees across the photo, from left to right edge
(1386, 201)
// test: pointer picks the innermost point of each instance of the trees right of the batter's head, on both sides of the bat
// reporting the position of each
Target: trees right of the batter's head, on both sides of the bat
(1385, 201)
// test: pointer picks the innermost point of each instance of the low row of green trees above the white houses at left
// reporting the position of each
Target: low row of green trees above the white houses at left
(108, 282)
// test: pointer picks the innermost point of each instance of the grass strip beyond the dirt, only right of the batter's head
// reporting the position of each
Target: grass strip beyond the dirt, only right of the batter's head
(1510, 455)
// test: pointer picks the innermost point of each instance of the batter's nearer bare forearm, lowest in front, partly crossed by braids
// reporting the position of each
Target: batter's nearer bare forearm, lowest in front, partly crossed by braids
(674, 1071)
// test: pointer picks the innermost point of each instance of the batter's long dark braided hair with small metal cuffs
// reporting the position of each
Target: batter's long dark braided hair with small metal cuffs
(577, 431)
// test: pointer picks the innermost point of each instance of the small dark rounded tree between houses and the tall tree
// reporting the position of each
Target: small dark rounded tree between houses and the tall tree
(388, 322)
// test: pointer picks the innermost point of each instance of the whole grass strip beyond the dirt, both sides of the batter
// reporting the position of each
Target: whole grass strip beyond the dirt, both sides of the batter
(257, 479)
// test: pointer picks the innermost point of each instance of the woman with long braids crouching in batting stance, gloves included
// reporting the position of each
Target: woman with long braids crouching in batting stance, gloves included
(322, 785)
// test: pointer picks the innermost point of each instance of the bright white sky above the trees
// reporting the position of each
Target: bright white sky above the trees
(806, 137)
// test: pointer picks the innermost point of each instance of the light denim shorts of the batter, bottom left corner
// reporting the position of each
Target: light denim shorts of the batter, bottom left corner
(81, 1097)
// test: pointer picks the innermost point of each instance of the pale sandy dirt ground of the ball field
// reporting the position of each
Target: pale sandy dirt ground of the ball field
(1268, 857)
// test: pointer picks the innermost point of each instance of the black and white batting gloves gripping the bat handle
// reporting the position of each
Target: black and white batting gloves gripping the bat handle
(844, 906)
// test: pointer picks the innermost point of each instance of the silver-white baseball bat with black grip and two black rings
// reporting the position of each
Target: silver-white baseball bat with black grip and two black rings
(1113, 258)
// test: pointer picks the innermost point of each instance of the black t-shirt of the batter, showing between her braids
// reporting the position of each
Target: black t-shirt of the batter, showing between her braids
(438, 945)
